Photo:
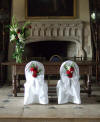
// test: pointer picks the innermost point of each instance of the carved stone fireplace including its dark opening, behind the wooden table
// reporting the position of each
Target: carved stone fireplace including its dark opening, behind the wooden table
(63, 38)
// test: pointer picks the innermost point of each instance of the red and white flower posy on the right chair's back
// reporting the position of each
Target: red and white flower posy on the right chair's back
(69, 70)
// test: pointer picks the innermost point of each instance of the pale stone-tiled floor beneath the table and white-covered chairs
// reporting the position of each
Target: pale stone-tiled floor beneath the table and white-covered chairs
(12, 109)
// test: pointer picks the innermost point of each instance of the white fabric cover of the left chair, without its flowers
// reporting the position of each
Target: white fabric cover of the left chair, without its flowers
(36, 89)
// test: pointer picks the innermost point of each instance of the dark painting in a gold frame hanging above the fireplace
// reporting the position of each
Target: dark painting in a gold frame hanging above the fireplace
(50, 9)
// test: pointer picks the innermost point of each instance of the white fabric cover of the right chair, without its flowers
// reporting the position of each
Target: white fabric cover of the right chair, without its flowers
(68, 89)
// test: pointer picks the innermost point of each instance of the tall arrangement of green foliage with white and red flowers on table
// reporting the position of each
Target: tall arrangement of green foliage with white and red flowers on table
(18, 35)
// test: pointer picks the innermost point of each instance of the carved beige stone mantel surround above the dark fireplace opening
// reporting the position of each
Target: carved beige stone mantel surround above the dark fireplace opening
(58, 31)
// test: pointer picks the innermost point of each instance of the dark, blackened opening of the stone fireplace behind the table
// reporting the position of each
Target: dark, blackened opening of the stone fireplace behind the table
(48, 48)
